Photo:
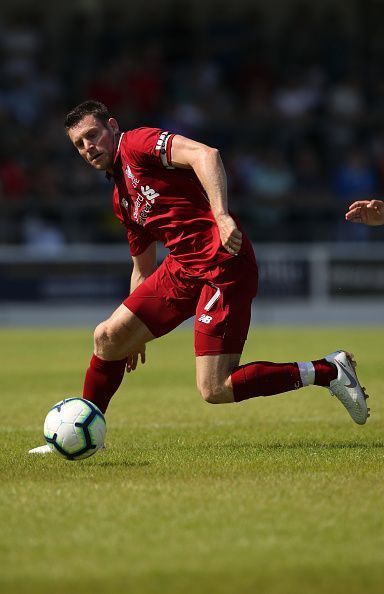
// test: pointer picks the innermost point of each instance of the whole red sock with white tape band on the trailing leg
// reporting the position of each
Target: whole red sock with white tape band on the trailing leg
(263, 378)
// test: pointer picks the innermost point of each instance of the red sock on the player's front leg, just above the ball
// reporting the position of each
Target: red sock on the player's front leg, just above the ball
(102, 379)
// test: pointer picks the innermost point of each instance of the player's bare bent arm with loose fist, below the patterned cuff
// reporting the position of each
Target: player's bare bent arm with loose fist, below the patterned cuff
(208, 166)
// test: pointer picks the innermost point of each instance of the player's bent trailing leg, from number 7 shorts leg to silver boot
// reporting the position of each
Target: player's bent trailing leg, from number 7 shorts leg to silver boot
(222, 322)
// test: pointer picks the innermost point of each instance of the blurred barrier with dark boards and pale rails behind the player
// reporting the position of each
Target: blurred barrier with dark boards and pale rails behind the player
(302, 283)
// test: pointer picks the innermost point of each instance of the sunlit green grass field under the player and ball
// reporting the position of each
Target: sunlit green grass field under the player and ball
(279, 495)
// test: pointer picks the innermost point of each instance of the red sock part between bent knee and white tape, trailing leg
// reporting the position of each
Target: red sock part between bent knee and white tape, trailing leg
(264, 379)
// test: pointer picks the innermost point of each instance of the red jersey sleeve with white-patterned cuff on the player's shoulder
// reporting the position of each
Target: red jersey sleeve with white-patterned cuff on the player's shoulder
(149, 147)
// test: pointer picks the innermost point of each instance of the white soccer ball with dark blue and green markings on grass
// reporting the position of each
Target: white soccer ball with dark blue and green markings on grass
(75, 428)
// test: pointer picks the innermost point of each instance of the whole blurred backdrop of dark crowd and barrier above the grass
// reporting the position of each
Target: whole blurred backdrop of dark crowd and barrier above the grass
(293, 96)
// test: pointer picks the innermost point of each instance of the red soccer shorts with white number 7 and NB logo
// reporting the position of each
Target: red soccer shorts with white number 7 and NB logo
(221, 301)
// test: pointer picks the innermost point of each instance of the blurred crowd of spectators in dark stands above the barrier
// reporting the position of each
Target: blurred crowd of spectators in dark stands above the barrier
(286, 101)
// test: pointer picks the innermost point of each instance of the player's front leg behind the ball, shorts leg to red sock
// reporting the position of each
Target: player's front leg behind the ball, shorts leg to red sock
(157, 306)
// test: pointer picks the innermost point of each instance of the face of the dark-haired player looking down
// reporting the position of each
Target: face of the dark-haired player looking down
(96, 142)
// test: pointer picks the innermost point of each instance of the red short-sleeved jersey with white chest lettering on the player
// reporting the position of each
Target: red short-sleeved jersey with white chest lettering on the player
(157, 202)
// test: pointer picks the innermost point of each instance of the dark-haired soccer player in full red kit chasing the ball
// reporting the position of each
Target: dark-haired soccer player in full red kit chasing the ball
(171, 189)
